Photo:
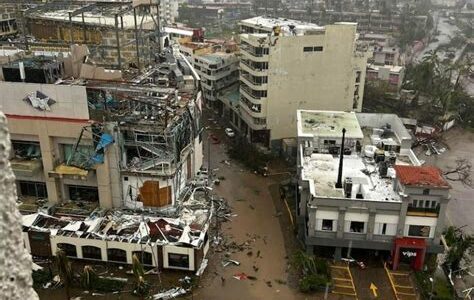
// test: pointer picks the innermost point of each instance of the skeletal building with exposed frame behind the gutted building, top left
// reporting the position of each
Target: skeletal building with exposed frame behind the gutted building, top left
(119, 34)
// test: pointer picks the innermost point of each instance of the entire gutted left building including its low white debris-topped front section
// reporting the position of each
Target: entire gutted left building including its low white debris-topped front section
(102, 158)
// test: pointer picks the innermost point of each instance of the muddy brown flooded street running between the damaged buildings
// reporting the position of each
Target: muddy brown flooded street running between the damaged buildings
(257, 222)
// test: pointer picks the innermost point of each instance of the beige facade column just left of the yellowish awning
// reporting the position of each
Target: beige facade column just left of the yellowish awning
(49, 160)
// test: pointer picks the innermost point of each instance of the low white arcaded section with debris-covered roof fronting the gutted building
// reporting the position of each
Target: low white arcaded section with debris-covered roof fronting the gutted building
(175, 239)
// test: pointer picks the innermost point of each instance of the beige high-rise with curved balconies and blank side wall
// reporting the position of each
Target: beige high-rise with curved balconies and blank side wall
(288, 65)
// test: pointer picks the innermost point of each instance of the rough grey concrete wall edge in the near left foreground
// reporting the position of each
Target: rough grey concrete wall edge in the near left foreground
(15, 264)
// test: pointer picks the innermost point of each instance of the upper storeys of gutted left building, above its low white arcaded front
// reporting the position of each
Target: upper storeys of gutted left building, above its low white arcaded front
(84, 136)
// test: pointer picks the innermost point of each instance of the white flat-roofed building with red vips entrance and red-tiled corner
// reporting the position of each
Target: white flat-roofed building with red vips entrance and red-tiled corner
(375, 196)
